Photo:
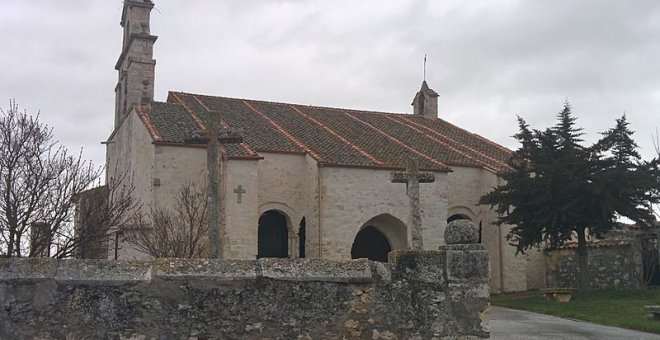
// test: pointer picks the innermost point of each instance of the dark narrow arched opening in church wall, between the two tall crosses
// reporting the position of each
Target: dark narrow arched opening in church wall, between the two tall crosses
(273, 235)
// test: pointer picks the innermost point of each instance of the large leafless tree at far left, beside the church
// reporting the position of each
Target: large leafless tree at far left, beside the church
(38, 183)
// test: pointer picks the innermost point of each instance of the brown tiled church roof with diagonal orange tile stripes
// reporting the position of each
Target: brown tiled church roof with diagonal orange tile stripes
(332, 136)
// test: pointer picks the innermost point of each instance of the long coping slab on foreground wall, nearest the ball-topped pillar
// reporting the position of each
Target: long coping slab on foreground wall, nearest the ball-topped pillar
(356, 271)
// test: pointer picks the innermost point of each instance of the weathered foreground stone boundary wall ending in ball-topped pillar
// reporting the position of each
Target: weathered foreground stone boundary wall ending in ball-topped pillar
(421, 295)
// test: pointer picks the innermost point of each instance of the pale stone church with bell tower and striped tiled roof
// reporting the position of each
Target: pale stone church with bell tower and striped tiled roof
(306, 181)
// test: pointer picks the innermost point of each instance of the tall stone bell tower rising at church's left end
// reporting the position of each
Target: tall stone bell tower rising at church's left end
(135, 65)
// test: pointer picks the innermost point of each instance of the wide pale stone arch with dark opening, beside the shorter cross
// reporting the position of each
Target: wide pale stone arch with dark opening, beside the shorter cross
(378, 236)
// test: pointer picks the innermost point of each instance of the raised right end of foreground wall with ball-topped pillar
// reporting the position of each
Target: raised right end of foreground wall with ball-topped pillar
(451, 293)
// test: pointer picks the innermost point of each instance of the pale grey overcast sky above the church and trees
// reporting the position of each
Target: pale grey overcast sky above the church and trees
(488, 60)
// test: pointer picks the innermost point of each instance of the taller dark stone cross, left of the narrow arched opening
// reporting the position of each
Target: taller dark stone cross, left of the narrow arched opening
(212, 136)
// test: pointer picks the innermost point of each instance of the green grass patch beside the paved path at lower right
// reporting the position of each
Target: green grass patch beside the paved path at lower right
(620, 308)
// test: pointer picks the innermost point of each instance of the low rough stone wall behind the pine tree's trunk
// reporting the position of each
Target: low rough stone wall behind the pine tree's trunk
(611, 266)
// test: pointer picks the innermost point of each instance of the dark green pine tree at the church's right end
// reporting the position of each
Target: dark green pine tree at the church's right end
(557, 189)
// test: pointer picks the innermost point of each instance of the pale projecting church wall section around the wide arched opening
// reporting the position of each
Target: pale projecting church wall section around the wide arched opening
(352, 197)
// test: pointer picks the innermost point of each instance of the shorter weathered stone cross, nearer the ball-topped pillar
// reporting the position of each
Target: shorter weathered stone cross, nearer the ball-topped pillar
(412, 177)
